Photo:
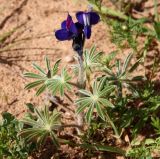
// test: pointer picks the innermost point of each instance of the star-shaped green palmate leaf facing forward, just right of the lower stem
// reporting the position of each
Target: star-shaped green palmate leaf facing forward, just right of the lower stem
(95, 100)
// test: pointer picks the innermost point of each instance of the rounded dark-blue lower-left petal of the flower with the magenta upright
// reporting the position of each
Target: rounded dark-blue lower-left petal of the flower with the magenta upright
(63, 34)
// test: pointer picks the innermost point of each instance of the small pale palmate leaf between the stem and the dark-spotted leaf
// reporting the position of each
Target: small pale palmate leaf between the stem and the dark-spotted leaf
(58, 84)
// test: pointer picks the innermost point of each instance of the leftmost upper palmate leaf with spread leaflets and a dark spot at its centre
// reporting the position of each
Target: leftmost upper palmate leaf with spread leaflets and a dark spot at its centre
(43, 76)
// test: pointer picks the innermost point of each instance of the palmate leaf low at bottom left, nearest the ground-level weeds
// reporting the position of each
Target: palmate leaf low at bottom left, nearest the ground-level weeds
(41, 127)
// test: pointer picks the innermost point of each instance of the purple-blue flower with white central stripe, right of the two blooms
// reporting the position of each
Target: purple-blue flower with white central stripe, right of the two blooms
(87, 19)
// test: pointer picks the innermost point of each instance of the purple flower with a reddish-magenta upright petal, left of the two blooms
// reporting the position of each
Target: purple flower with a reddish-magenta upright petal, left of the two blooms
(68, 30)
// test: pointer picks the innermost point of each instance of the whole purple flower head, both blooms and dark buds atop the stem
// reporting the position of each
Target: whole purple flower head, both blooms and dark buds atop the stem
(77, 31)
